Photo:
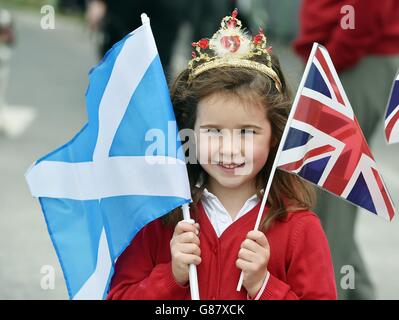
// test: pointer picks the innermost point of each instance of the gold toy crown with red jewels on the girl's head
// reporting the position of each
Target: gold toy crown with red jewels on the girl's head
(231, 46)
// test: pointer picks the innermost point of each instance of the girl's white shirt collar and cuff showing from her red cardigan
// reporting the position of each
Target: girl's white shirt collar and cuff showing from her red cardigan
(221, 219)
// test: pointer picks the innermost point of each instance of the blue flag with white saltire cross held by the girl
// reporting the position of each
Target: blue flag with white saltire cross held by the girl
(99, 189)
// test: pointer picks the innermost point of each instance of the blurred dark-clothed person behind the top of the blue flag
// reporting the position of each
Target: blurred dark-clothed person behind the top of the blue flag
(116, 18)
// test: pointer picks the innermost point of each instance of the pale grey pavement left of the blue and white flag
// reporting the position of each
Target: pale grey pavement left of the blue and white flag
(48, 72)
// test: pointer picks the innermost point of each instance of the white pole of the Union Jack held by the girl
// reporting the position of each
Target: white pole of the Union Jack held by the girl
(280, 147)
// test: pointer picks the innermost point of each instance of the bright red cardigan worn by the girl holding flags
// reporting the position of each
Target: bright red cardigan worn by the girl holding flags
(300, 263)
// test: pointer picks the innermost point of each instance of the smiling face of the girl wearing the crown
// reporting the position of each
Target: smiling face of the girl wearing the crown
(233, 139)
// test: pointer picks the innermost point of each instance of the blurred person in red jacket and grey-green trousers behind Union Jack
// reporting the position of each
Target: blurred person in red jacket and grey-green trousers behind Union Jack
(366, 56)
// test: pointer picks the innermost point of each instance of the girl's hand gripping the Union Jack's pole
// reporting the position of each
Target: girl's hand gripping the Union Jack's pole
(253, 258)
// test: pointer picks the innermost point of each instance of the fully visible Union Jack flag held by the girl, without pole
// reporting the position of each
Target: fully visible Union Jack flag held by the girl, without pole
(324, 143)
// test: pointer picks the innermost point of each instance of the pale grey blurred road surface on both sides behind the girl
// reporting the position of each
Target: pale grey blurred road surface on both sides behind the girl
(49, 79)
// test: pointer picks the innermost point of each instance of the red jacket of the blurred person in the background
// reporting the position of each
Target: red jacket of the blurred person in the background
(376, 30)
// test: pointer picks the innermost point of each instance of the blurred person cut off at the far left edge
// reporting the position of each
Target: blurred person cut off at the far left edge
(7, 38)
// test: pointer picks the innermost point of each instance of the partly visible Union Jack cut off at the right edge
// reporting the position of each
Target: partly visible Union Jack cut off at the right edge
(391, 124)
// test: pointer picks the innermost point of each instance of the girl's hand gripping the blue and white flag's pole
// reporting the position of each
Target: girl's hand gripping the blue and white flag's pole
(184, 248)
